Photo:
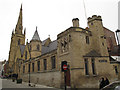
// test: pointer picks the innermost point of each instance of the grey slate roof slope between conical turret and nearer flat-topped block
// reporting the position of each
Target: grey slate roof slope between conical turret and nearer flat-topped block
(52, 46)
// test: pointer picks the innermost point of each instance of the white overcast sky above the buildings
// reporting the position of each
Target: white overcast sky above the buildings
(51, 17)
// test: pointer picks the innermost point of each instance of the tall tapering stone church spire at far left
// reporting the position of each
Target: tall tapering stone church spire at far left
(19, 27)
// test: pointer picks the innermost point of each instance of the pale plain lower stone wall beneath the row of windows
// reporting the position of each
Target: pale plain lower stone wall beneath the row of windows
(49, 78)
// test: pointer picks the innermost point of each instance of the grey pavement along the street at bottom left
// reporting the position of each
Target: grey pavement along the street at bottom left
(7, 83)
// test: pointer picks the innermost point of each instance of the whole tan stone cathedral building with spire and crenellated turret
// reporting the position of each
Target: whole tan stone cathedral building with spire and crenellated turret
(84, 49)
